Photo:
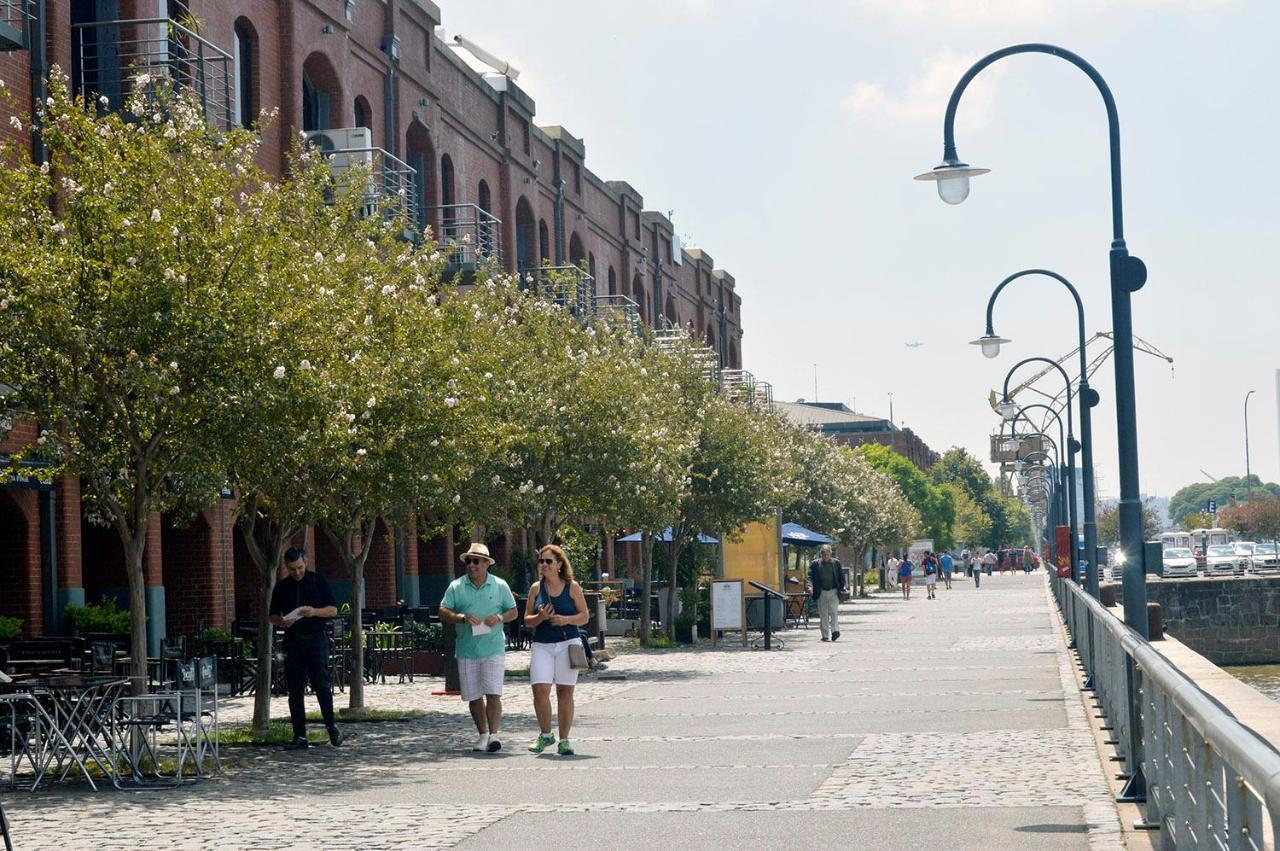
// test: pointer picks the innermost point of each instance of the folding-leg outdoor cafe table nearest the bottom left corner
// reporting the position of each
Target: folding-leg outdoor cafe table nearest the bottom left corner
(76, 722)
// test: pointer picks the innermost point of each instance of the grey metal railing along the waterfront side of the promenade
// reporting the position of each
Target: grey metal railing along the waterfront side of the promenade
(1206, 780)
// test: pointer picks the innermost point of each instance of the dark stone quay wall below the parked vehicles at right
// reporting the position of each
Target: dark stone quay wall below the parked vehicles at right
(1231, 621)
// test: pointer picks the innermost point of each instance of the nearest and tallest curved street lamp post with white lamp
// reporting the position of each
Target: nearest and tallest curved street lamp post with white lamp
(1128, 276)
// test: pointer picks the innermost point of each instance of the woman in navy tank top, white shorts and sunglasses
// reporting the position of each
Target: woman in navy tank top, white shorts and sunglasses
(555, 612)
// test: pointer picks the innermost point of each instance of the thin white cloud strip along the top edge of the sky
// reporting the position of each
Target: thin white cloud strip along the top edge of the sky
(986, 13)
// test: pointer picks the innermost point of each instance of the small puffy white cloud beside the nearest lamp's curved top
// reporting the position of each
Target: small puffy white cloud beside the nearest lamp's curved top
(925, 98)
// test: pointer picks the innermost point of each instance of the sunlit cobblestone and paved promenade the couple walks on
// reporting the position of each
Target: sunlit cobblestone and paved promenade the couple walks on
(952, 722)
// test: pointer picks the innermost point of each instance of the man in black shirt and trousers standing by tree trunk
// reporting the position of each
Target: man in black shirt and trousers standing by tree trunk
(303, 603)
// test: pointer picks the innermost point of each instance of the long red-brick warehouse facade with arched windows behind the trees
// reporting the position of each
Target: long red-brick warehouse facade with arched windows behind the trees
(476, 150)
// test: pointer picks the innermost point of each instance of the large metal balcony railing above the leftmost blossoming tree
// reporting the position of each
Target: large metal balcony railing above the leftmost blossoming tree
(115, 60)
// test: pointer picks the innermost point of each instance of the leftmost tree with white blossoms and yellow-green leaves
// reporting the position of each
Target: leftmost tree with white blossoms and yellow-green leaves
(120, 309)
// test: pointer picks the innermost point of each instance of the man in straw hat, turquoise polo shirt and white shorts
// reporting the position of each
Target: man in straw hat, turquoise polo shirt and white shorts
(481, 603)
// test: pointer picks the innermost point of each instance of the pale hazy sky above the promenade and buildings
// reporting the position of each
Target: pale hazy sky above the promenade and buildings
(784, 138)
